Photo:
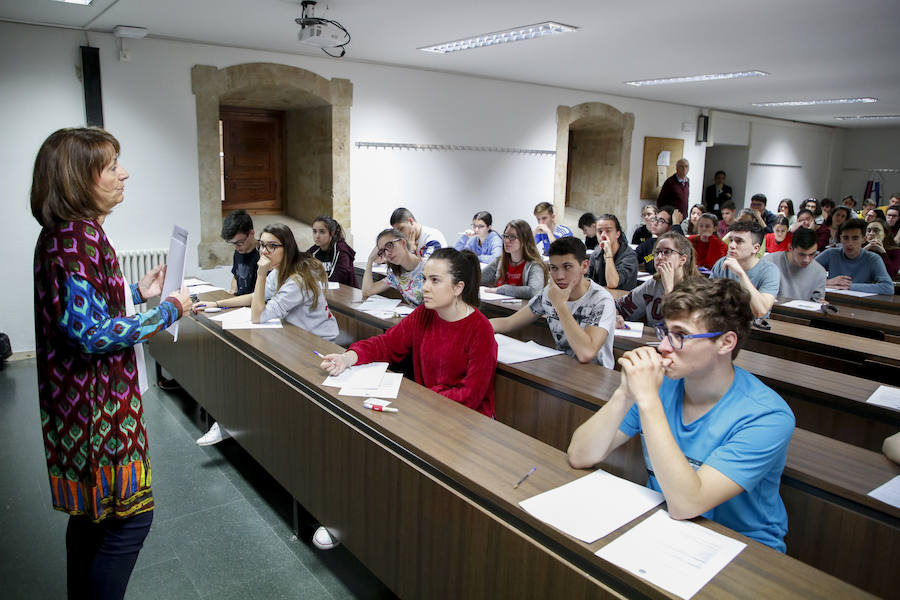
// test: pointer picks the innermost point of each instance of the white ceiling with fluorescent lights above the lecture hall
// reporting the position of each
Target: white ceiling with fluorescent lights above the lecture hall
(811, 48)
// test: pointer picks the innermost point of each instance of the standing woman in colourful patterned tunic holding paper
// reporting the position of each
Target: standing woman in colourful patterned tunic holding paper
(90, 367)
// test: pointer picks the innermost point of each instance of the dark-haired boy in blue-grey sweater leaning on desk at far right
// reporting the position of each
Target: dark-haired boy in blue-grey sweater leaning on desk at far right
(849, 268)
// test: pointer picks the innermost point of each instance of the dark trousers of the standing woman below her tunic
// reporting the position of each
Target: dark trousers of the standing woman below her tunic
(101, 556)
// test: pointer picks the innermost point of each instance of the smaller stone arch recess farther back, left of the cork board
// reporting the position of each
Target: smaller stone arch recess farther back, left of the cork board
(593, 155)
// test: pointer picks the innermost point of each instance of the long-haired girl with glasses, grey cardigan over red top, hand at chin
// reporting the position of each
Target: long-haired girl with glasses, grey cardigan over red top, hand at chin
(520, 271)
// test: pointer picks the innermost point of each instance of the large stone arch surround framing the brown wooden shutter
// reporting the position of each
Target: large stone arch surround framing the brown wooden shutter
(317, 141)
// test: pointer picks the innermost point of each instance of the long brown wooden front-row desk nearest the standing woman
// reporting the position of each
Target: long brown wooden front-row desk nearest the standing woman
(424, 497)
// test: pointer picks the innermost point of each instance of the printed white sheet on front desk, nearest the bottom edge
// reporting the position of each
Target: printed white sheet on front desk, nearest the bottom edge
(678, 556)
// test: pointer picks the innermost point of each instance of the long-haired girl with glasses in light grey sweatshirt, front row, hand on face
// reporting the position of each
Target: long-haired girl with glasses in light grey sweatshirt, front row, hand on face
(288, 286)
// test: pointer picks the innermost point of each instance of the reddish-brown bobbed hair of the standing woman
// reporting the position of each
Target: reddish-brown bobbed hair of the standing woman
(66, 169)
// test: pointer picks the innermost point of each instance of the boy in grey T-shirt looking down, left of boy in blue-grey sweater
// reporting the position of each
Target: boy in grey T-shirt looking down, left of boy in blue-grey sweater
(802, 278)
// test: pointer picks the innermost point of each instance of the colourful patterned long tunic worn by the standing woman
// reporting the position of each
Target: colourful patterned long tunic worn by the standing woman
(91, 412)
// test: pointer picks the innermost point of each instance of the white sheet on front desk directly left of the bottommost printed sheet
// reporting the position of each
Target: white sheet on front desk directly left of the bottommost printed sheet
(592, 506)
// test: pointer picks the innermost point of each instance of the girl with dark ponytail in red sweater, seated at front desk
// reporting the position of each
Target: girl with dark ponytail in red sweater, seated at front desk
(451, 342)
